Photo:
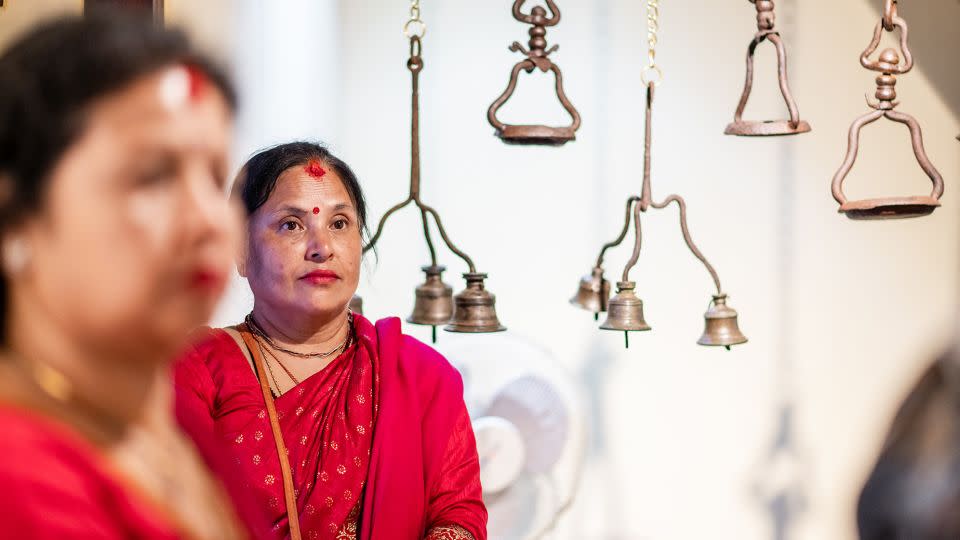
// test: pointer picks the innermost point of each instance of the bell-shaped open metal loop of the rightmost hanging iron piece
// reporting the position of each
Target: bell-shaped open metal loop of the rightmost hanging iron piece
(888, 207)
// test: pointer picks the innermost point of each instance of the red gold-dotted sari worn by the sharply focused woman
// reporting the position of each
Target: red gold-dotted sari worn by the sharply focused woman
(379, 441)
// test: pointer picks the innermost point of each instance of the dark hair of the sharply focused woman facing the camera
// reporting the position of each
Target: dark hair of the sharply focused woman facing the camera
(258, 177)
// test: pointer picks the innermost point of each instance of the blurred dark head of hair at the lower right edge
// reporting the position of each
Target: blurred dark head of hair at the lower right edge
(914, 489)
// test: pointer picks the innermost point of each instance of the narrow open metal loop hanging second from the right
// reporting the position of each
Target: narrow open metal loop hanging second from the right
(794, 125)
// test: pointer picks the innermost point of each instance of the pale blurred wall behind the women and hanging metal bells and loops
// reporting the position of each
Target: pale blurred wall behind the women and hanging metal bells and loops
(771, 440)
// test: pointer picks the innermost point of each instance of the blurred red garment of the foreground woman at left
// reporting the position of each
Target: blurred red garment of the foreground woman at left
(57, 485)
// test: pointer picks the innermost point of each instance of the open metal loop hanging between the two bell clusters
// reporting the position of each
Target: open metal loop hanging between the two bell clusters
(534, 134)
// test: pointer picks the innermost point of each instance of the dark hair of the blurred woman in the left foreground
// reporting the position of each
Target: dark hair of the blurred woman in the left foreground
(50, 77)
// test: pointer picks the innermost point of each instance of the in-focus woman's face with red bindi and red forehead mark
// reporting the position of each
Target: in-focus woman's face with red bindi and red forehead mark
(304, 249)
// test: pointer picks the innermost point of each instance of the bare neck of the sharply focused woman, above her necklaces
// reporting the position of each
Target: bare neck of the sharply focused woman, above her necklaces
(312, 334)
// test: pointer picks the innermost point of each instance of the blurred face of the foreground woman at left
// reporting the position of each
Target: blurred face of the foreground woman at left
(136, 236)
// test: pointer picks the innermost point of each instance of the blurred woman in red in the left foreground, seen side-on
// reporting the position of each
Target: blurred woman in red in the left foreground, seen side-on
(116, 241)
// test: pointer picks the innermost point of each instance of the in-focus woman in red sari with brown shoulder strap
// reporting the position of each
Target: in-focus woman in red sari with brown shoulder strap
(372, 438)
